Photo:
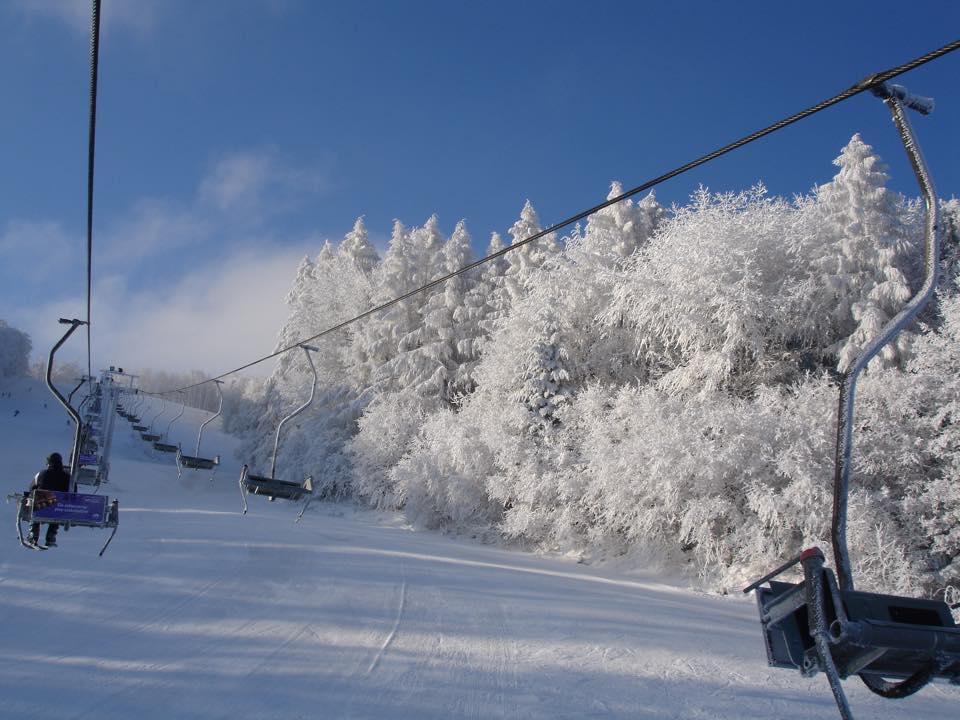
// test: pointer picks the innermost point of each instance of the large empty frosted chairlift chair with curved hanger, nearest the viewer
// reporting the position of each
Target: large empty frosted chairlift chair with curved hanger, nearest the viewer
(897, 645)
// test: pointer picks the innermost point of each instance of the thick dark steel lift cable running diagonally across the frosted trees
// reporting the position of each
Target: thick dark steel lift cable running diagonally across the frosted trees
(868, 83)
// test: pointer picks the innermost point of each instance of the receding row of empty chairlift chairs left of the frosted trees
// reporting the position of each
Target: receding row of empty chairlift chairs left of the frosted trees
(251, 483)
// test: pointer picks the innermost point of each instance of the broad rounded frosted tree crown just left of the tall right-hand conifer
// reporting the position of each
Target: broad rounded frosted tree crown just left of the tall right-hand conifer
(714, 298)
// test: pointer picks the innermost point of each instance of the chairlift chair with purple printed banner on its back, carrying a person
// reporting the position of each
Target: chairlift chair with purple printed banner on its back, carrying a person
(66, 508)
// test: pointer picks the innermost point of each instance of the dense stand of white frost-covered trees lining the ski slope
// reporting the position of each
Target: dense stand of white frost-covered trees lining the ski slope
(653, 384)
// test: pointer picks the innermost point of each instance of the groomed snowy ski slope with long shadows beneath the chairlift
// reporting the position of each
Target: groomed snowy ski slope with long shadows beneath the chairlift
(196, 611)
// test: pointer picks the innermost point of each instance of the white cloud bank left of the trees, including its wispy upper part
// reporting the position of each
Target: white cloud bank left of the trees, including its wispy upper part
(148, 312)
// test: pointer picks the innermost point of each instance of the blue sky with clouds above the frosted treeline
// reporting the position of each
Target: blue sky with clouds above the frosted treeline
(234, 136)
